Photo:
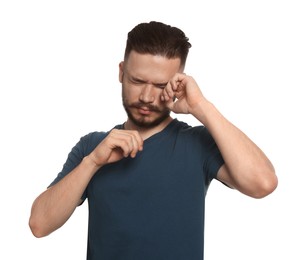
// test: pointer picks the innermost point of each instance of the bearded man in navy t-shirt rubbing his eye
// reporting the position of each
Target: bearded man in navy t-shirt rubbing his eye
(146, 179)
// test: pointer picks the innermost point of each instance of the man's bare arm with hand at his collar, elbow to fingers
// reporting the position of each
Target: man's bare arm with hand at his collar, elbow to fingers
(54, 206)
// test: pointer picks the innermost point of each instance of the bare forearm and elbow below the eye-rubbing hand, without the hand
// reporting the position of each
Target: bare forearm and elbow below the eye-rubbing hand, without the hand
(246, 167)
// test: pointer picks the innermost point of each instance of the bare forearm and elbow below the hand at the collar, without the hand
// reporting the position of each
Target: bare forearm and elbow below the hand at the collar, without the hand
(53, 207)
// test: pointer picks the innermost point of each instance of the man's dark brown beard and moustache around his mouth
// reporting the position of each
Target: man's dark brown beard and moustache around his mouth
(143, 121)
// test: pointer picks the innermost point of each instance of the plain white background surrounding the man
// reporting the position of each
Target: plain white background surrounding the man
(59, 81)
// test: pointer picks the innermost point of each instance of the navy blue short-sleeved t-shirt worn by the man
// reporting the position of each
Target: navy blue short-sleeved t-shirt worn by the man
(150, 207)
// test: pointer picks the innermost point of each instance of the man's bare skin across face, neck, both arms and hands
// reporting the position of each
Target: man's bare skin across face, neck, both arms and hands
(152, 85)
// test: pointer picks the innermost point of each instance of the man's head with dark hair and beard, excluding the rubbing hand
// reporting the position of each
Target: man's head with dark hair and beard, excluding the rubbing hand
(154, 53)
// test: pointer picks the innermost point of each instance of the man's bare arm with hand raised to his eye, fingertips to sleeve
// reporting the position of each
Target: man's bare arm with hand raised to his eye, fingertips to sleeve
(246, 167)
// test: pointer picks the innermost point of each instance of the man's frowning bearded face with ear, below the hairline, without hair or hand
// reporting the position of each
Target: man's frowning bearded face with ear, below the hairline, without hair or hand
(143, 78)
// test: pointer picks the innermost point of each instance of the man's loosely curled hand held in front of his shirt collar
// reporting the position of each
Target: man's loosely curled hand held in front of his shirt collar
(117, 145)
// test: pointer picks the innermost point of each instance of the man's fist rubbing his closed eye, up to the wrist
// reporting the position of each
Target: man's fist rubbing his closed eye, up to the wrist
(182, 94)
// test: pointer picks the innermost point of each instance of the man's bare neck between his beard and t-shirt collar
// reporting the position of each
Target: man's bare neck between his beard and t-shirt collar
(146, 132)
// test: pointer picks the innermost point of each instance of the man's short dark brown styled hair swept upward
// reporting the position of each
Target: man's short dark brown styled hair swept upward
(157, 38)
